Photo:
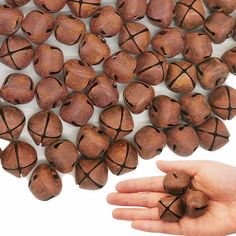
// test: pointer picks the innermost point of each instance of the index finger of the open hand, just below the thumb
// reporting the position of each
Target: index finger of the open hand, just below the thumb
(149, 184)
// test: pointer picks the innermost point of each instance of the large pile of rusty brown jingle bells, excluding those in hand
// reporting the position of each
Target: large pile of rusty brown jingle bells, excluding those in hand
(75, 87)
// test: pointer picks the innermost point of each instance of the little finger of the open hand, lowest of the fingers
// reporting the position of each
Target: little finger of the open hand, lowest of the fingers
(157, 227)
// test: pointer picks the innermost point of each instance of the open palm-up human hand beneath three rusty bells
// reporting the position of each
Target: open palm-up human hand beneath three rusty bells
(217, 180)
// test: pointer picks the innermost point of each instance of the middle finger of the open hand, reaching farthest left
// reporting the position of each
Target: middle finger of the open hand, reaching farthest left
(135, 199)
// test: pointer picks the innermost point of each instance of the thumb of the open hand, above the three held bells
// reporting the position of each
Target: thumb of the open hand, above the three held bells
(188, 167)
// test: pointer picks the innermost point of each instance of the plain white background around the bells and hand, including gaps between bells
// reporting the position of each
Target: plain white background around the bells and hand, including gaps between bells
(76, 211)
